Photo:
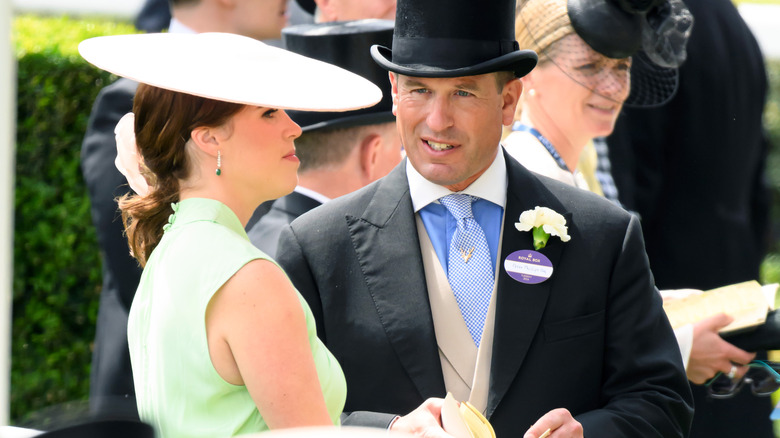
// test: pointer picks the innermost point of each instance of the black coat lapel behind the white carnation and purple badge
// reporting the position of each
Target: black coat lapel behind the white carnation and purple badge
(519, 306)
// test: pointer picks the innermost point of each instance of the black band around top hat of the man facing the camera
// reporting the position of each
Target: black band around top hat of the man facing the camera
(448, 53)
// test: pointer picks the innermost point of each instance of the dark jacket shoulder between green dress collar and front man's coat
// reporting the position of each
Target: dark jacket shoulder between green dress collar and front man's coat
(264, 234)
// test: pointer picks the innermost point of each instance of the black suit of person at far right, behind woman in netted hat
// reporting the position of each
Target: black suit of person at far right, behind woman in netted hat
(694, 170)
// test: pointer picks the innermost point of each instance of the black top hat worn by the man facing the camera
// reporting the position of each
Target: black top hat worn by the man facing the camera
(455, 38)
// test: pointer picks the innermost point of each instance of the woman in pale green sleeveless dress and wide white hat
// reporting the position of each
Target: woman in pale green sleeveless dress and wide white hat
(221, 343)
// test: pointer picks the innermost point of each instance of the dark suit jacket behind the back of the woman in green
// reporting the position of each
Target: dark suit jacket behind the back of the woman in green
(111, 382)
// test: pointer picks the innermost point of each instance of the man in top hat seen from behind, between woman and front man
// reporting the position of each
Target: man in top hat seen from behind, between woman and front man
(340, 152)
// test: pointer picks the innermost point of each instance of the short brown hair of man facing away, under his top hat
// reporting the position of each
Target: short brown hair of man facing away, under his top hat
(331, 146)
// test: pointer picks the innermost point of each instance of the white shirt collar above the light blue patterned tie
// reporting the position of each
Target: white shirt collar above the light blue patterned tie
(490, 186)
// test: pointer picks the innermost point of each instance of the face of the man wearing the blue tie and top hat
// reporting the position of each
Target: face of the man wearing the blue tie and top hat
(451, 127)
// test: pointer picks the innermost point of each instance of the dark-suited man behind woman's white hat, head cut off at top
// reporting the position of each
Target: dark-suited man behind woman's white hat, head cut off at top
(111, 381)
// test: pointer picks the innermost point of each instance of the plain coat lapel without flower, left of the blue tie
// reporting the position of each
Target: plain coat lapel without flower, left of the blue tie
(388, 249)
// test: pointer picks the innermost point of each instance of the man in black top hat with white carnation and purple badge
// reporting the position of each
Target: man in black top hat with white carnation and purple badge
(428, 281)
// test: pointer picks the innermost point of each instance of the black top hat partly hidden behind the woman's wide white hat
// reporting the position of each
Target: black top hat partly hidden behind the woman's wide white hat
(345, 44)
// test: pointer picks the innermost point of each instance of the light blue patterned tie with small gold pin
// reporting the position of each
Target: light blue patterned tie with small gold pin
(469, 269)
